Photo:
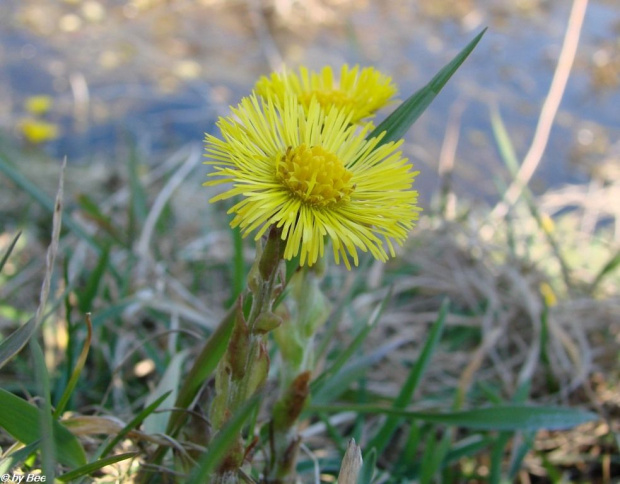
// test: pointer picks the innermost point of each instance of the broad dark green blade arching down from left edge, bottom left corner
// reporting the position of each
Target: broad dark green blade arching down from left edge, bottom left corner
(21, 420)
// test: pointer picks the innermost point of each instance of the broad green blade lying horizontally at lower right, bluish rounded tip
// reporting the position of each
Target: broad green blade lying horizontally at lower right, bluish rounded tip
(505, 417)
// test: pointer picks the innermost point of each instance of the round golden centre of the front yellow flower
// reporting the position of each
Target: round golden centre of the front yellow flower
(315, 175)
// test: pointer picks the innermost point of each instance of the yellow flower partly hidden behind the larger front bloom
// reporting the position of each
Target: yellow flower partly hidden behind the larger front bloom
(358, 92)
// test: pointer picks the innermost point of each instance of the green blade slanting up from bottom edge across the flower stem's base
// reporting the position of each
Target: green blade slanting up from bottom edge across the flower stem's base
(222, 442)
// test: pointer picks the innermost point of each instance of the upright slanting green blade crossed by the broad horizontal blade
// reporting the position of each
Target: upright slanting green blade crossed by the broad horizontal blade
(384, 435)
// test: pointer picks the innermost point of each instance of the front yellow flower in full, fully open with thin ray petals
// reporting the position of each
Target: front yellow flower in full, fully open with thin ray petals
(313, 174)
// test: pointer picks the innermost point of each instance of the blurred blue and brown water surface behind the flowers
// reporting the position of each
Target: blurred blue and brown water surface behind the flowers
(92, 79)
